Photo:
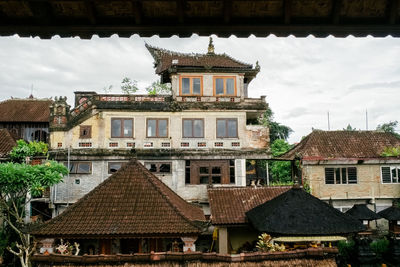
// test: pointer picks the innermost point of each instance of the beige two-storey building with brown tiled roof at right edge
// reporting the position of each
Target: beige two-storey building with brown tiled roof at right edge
(348, 167)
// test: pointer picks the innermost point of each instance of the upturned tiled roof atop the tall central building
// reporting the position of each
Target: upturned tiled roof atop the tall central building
(164, 60)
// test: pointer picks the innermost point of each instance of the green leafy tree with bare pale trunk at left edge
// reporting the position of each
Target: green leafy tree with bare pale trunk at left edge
(18, 183)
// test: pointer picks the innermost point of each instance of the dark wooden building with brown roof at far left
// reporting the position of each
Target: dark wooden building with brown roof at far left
(26, 118)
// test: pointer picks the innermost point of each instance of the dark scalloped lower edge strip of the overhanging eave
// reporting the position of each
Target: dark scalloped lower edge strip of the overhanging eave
(376, 30)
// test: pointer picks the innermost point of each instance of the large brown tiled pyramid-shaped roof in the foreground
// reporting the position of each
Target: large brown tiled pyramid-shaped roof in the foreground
(131, 202)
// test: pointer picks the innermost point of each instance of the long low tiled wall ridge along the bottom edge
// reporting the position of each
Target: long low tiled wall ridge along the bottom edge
(321, 257)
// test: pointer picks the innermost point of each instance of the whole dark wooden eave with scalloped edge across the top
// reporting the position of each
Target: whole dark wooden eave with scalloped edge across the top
(85, 18)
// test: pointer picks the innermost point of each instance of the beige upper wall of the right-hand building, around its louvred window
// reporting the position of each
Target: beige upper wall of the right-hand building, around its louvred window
(369, 183)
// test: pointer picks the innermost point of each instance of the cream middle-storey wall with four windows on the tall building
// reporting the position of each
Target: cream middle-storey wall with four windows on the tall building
(248, 136)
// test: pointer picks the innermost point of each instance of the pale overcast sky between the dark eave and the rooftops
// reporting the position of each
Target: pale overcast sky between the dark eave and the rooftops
(303, 78)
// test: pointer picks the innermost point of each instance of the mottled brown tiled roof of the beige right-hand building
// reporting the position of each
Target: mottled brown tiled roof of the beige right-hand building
(322, 145)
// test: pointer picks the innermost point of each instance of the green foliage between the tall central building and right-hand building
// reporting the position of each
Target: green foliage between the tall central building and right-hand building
(280, 171)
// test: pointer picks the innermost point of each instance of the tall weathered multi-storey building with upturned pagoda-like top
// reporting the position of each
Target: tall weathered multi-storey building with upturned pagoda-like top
(199, 136)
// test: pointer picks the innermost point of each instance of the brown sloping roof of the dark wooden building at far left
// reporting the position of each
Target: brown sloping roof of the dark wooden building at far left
(25, 110)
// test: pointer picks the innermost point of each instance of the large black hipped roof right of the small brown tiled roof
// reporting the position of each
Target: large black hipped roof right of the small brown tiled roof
(298, 213)
